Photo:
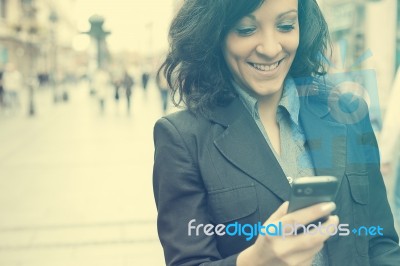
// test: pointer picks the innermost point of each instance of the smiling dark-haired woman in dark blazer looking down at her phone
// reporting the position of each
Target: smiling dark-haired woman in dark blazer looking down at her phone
(253, 124)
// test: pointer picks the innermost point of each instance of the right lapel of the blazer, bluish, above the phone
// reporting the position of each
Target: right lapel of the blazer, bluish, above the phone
(325, 137)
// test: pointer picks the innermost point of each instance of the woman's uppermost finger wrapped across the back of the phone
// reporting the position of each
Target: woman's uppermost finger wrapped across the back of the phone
(309, 214)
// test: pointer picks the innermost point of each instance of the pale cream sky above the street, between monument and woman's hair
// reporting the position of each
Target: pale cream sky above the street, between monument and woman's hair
(136, 25)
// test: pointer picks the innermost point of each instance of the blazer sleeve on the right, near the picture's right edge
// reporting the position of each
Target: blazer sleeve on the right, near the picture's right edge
(383, 250)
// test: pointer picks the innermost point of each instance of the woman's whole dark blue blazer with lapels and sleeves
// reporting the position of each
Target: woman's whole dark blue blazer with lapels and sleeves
(219, 169)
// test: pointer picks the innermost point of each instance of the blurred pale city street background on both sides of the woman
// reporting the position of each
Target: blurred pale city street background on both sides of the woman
(76, 174)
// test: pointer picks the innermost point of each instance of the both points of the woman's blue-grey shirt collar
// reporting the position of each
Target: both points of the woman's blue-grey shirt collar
(289, 100)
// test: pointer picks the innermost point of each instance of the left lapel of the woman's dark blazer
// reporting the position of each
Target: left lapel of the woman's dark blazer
(243, 144)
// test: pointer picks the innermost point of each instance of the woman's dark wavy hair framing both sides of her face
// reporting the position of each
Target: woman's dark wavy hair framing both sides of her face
(195, 67)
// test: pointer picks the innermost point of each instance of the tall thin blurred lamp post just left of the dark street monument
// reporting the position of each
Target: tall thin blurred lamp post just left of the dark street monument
(53, 18)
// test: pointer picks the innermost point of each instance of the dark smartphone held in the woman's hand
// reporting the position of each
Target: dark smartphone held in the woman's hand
(307, 191)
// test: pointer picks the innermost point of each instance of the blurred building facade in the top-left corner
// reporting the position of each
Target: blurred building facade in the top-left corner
(36, 36)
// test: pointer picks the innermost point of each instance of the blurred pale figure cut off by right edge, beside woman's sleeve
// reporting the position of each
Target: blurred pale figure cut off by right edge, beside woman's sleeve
(389, 143)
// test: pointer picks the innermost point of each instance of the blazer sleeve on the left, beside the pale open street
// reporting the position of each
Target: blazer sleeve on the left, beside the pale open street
(180, 197)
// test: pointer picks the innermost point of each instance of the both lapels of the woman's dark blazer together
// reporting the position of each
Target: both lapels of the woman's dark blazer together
(244, 146)
